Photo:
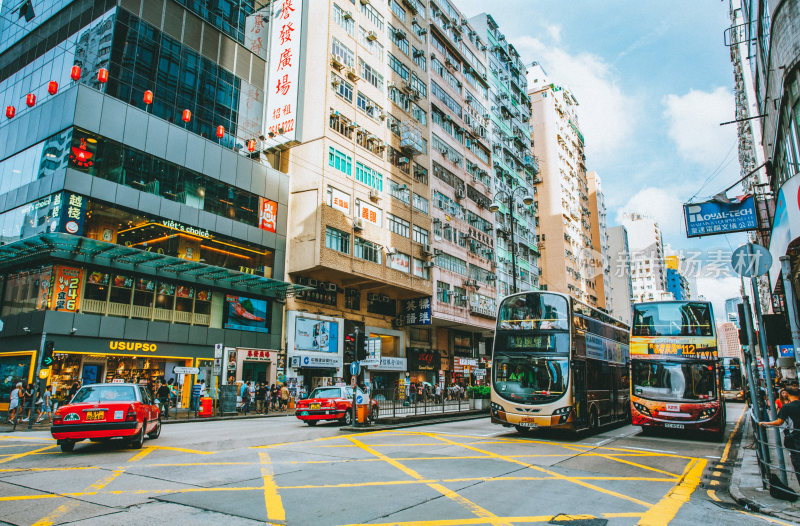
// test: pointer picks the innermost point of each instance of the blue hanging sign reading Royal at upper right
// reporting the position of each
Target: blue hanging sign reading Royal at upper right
(711, 217)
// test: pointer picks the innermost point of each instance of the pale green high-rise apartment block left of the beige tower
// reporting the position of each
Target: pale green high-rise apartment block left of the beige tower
(515, 167)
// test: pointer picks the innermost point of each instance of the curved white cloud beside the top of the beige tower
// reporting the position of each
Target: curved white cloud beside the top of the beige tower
(607, 113)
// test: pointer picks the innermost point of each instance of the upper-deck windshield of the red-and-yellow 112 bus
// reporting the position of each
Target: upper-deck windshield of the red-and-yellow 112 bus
(672, 319)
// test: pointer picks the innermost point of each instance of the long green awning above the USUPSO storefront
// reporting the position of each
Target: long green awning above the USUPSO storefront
(45, 248)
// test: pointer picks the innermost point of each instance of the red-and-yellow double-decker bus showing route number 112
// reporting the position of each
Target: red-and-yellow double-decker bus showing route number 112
(675, 370)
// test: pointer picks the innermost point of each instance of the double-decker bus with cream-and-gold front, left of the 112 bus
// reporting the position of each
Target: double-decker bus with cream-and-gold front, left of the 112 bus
(558, 363)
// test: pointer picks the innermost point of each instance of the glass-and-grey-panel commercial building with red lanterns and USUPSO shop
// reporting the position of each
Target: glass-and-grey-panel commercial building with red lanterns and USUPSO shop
(142, 224)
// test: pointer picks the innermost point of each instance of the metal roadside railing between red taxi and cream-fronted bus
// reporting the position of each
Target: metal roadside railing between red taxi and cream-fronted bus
(394, 402)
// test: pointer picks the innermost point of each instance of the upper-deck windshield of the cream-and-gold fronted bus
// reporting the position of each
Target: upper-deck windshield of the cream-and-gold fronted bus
(534, 311)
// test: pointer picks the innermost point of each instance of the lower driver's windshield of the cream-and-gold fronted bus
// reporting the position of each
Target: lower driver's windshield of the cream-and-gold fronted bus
(527, 378)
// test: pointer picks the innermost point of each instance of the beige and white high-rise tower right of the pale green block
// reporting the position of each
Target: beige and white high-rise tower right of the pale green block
(562, 198)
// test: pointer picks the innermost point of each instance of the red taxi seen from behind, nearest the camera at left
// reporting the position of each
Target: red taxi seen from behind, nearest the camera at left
(105, 411)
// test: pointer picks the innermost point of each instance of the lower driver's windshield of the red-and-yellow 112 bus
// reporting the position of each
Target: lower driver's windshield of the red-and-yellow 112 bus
(673, 381)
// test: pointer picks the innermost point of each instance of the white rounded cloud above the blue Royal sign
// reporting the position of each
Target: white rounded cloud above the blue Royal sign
(693, 121)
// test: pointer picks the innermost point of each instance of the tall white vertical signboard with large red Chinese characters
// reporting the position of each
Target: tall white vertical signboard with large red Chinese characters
(284, 71)
